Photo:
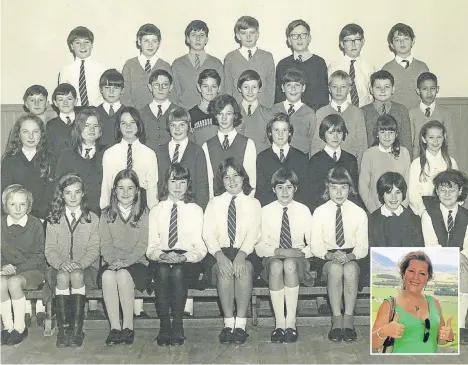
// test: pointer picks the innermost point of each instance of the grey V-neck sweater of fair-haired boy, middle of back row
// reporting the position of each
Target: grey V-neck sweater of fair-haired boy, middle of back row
(262, 62)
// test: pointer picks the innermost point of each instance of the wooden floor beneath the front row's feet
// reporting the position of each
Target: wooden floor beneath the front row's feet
(202, 346)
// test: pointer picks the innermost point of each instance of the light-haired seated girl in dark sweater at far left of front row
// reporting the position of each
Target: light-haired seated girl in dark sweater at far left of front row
(23, 260)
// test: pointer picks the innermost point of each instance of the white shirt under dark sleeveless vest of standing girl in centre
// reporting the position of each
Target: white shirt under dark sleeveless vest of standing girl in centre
(249, 162)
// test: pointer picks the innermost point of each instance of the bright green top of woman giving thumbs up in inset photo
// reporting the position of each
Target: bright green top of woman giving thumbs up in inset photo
(412, 339)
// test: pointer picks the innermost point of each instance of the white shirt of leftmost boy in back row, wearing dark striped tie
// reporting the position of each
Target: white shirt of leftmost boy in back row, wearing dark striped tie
(93, 72)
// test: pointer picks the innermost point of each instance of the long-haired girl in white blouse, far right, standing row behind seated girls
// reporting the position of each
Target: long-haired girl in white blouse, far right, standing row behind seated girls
(434, 158)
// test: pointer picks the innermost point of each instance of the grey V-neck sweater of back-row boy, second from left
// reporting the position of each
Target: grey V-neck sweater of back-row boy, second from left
(136, 92)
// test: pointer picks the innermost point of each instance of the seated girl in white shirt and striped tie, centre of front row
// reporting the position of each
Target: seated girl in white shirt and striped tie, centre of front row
(231, 229)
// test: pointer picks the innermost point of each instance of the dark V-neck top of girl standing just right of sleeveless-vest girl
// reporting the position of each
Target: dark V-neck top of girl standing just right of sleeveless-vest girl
(268, 163)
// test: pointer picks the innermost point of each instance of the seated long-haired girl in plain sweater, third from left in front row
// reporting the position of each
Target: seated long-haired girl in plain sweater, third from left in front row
(123, 229)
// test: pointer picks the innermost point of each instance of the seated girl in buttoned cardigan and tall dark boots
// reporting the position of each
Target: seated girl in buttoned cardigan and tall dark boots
(72, 251)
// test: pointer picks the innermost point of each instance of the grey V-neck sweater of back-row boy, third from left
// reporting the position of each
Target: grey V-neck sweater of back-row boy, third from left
(186, 78)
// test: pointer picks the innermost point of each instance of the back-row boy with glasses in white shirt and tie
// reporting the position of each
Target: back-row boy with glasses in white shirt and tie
(351, 40)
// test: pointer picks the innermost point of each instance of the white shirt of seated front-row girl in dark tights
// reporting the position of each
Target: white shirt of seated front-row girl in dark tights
(189, 230)
